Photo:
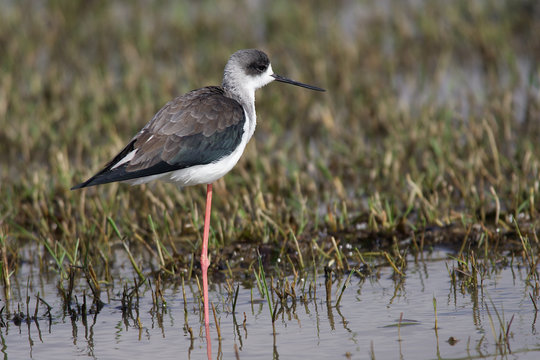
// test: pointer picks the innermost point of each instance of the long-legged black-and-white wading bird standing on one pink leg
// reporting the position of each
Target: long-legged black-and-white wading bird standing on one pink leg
(198, 137)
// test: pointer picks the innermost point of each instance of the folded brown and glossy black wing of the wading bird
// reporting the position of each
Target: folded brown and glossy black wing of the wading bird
(197, 128)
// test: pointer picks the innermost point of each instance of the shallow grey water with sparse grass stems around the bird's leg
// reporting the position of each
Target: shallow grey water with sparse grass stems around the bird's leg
(366, 323)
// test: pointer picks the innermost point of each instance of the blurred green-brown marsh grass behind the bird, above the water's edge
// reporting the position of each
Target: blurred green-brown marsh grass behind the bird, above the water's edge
(429, 126)
